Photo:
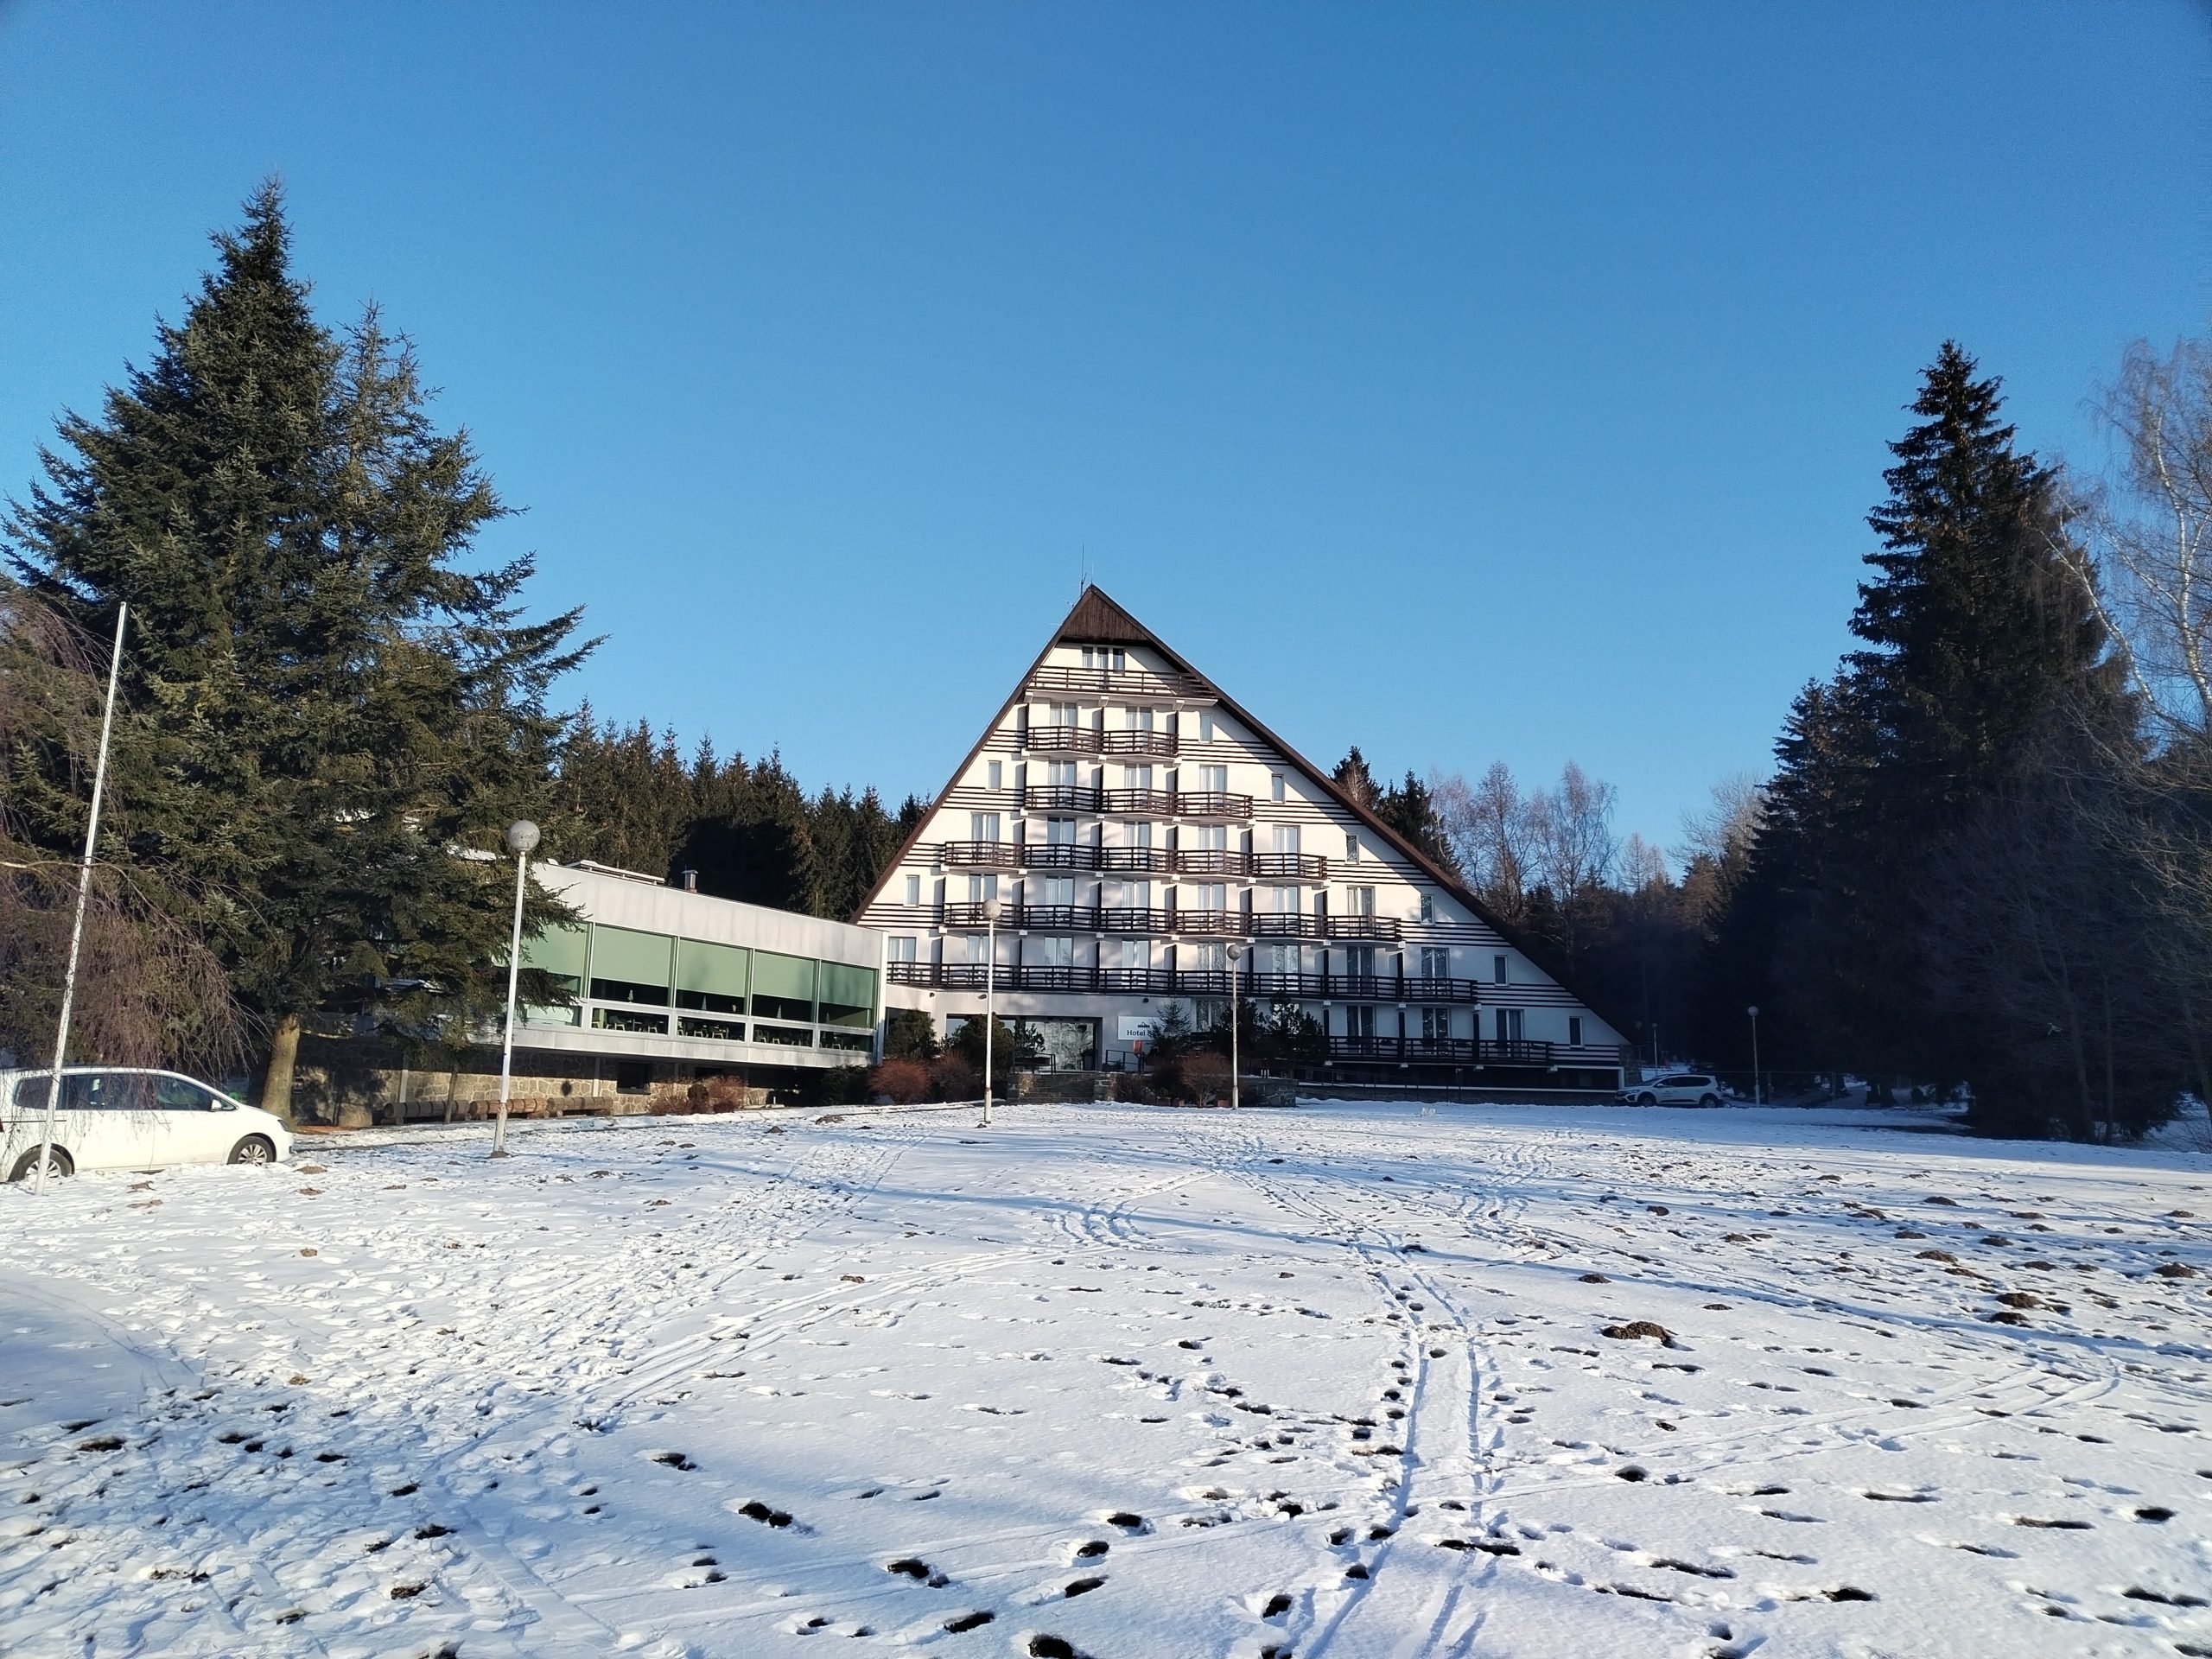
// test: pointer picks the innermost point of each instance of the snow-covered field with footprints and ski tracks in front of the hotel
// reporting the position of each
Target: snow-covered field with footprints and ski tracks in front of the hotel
(1120, 1384)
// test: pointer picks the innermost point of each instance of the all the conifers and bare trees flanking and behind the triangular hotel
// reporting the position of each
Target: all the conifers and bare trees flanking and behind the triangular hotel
(1981, 864)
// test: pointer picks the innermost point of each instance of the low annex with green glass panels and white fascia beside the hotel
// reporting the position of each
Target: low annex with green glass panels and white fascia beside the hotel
(674, 985)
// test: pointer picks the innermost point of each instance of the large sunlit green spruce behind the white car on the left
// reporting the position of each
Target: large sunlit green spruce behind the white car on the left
(320, 702)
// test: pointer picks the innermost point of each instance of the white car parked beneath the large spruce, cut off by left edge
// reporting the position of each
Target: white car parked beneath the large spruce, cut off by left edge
(123, 1118)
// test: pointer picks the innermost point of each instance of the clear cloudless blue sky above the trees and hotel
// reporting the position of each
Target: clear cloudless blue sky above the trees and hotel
(1459, 382)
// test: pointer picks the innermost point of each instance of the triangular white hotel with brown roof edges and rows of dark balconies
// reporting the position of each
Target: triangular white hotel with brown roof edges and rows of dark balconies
(1136, 824)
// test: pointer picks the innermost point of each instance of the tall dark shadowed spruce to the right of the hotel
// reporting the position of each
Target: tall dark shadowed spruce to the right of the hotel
(1972, 636)
